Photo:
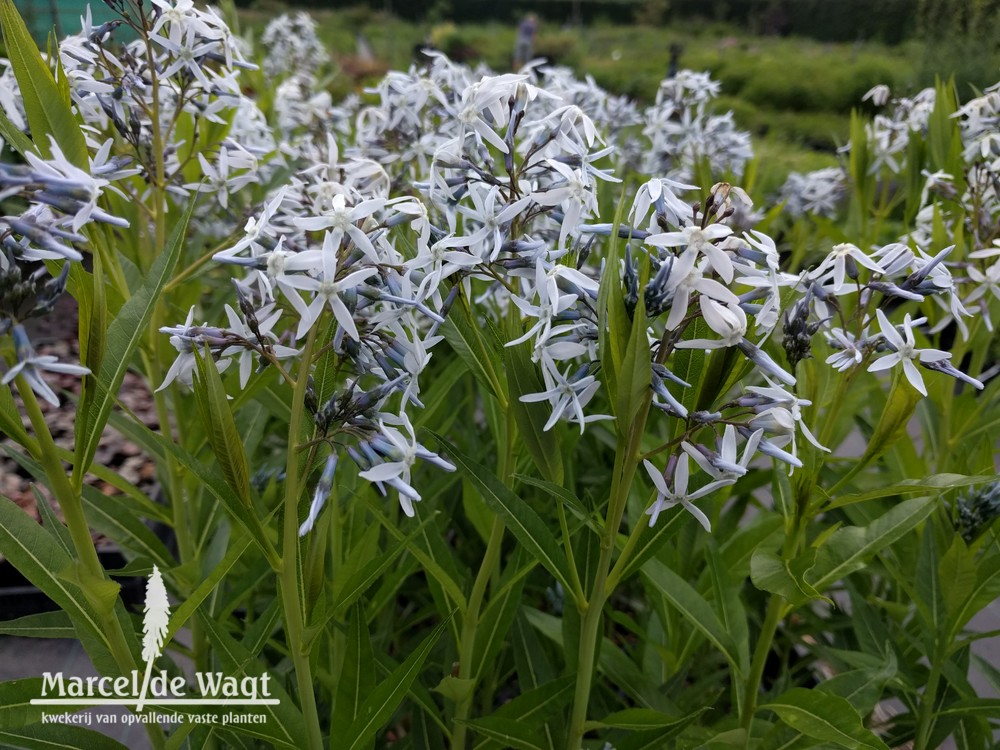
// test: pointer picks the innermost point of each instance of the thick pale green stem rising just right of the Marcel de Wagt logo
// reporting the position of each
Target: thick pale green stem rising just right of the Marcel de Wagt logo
(289, 580)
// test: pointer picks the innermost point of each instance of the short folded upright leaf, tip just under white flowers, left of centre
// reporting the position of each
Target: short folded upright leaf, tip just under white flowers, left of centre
(224, 438)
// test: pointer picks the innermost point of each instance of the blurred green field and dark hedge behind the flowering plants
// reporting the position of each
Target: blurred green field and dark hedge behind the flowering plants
(791, 70)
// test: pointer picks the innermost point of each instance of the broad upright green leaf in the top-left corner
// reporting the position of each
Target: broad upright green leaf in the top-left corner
(47, 110)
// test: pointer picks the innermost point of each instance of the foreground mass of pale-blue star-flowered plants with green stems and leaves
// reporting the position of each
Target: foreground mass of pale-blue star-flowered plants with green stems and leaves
(493, 409)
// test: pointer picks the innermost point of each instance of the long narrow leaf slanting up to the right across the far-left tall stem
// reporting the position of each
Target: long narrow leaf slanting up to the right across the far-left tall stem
(124, 335)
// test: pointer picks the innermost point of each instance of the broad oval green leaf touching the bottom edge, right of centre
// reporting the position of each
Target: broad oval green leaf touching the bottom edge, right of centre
(824, 717)
